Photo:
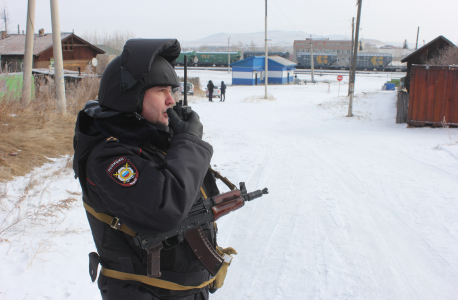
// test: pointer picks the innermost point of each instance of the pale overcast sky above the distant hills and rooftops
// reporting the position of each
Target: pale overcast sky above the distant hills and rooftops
(387, 20)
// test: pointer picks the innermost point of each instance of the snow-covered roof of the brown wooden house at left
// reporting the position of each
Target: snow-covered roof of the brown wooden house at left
(15, 44)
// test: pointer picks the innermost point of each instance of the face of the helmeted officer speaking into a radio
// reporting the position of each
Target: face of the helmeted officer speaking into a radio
(155, 104)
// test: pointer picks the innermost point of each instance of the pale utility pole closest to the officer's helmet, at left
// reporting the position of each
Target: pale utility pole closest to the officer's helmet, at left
(58, 61)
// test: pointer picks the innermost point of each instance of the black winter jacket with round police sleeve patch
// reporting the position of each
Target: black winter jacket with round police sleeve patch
(129, 177)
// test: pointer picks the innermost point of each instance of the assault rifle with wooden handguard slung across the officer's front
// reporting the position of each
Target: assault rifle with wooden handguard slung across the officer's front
(205, 210)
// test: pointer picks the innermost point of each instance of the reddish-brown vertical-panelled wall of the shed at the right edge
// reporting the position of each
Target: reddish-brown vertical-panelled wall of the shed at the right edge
(433, 95)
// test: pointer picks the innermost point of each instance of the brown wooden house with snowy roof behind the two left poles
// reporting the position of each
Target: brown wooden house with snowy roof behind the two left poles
(76, 52)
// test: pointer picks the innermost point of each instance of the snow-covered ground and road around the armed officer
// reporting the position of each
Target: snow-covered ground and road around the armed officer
(359, 208)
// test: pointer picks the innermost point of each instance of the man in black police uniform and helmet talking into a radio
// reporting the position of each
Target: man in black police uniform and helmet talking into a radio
(141, 174)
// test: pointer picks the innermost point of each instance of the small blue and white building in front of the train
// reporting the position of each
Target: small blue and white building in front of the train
(251, 71)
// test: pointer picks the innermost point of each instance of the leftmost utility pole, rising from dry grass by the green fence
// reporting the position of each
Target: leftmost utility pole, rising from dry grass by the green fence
(28, 55)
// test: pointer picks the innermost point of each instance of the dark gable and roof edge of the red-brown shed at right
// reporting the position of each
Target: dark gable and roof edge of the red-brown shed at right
(423, 54)
